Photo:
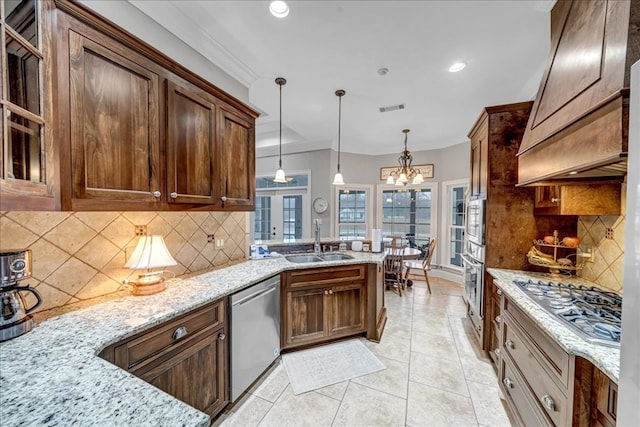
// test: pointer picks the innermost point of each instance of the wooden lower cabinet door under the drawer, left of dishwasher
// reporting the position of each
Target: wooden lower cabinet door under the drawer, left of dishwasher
(197, 375)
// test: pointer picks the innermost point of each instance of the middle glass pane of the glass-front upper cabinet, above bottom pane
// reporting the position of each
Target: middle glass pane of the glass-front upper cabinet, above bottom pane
(22, 74)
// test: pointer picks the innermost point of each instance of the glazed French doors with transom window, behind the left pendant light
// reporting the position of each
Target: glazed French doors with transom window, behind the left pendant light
(282, 209)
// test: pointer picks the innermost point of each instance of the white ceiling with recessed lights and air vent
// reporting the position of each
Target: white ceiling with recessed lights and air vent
(323, 46)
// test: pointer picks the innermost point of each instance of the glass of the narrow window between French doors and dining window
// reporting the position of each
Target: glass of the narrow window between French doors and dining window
(352, 214)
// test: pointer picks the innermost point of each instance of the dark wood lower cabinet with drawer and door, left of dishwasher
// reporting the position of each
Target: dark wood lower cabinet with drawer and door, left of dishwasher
(186, 357)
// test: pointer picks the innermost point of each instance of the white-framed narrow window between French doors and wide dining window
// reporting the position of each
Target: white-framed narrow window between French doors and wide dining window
(353, 216)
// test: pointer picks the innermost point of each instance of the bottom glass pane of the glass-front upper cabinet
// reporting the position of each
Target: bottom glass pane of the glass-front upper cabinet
(23, 154)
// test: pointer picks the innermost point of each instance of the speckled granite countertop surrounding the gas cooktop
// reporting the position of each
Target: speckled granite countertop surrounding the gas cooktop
(605, 358)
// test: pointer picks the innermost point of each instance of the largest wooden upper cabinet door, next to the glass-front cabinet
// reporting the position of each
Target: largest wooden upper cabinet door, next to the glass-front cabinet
(114, 125)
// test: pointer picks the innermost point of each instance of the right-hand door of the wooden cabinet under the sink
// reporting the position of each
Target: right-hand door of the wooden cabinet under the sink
(347, 309)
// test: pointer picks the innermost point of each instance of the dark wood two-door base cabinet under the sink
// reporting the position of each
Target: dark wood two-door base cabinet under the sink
(321, 304)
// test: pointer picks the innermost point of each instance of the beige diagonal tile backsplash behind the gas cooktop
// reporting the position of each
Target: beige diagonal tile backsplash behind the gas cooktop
(607, 268)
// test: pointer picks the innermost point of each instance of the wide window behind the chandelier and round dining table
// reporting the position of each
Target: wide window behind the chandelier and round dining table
(408, 212)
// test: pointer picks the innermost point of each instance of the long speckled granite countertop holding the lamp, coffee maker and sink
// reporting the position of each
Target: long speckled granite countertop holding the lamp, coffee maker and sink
(52, 375)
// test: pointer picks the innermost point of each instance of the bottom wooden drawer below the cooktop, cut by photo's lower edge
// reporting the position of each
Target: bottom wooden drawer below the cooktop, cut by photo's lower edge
(518, 395)
